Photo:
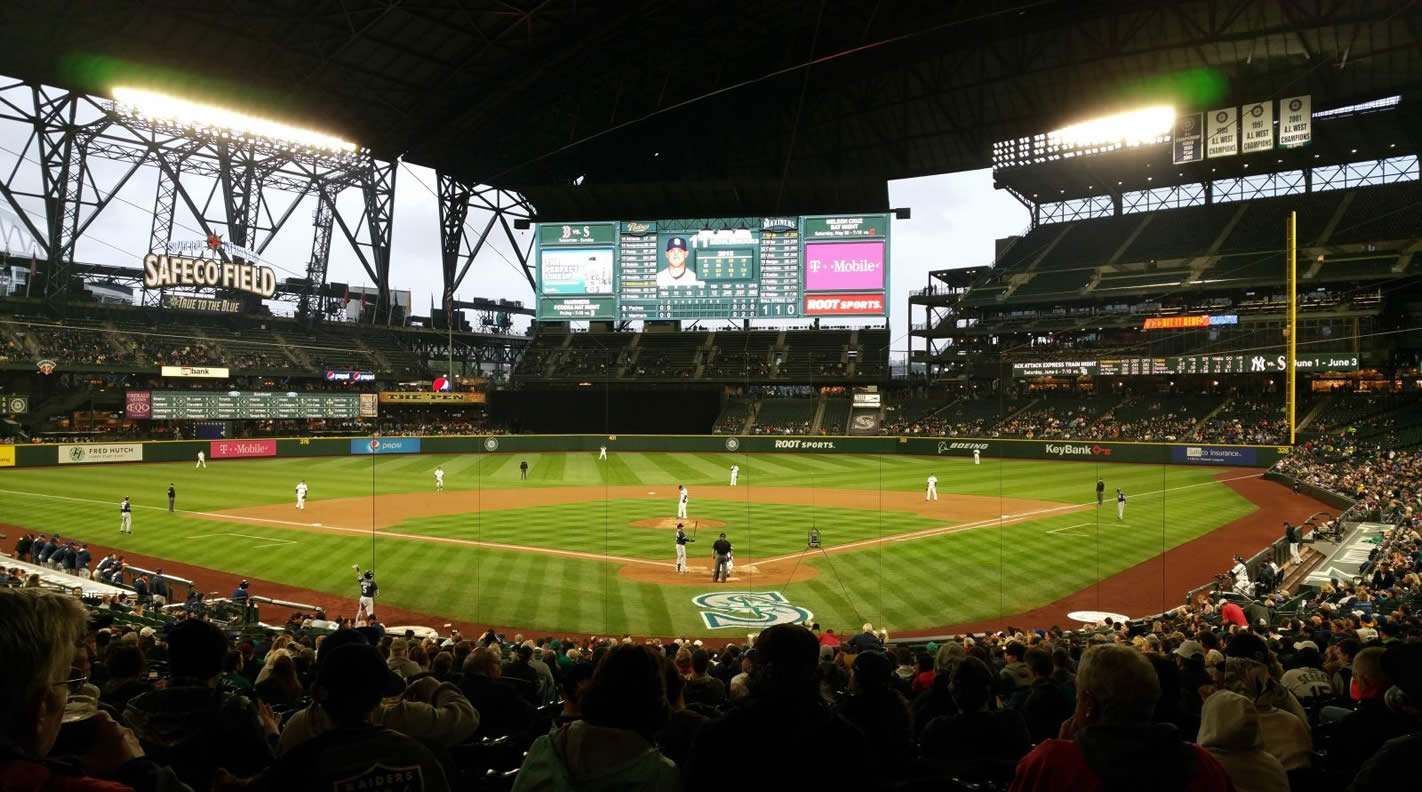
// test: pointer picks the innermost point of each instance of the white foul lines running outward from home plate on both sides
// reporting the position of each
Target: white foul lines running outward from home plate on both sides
(926, 534)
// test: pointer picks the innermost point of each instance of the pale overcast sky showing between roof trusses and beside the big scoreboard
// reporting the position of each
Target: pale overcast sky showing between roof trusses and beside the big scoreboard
(956, 220)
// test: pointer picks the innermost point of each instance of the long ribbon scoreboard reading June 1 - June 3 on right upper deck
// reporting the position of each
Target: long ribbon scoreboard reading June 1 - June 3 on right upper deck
(1194, 365)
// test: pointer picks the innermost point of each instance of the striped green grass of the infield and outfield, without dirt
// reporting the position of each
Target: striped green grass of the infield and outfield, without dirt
(978, 574)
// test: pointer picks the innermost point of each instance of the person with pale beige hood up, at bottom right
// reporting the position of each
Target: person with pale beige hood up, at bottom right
(1231, 733)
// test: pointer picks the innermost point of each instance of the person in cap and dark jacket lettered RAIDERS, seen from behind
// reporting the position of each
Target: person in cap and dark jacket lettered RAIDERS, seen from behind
(356, 753)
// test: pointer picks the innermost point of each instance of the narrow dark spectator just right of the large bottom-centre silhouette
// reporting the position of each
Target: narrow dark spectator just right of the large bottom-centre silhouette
(881, 712)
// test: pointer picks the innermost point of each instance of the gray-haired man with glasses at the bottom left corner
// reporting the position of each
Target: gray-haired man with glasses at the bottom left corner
(38, 649)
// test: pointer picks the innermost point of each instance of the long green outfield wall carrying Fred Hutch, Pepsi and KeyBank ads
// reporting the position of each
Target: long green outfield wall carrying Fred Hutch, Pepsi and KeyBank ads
(187, 451)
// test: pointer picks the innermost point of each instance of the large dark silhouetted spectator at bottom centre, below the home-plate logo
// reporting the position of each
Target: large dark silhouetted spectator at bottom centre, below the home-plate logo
(784, 709)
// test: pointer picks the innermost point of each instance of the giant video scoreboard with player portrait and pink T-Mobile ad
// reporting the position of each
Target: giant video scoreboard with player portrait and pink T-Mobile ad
(726, 268)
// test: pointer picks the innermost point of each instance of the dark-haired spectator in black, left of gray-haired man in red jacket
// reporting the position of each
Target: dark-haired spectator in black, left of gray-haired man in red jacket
(978, 743)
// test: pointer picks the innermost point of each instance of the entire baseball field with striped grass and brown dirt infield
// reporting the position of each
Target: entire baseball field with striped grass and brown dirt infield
(588, 545)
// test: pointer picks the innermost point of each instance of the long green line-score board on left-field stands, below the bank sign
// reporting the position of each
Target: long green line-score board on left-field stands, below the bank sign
(224, 406)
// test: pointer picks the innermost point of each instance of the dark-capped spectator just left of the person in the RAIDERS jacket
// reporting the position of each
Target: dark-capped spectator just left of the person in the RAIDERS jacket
(191, 724)
